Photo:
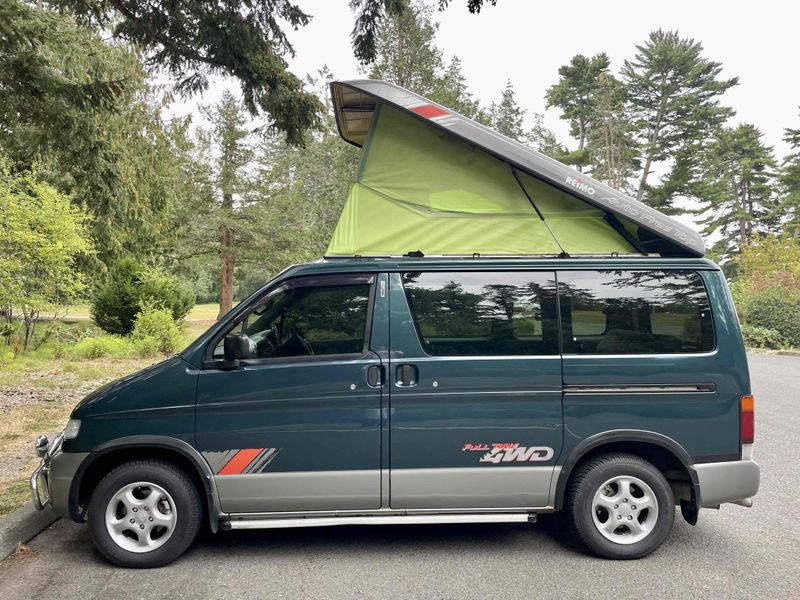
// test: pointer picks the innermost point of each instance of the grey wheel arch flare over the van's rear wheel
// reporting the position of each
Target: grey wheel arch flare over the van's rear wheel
(665, 453)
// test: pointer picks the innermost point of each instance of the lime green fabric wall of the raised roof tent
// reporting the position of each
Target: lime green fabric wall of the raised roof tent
(422, 189)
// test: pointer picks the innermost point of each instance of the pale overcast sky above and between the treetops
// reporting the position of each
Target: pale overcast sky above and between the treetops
(527, 40)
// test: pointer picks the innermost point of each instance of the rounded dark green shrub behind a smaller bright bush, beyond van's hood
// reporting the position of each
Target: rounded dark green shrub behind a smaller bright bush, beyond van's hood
(129, 287)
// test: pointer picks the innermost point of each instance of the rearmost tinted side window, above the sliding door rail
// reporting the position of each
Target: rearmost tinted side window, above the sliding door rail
(635, 312)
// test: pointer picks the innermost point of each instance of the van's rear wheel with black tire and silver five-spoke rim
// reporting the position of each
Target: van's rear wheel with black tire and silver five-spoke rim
(622, 490)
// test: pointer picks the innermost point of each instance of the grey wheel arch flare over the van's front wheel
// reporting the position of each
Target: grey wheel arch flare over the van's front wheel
(109, 455)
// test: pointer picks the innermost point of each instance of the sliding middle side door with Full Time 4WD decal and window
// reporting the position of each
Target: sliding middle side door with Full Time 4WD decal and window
(475, 380)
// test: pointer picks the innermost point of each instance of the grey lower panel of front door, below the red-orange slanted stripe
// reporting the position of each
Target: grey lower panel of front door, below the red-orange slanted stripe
(300, 490)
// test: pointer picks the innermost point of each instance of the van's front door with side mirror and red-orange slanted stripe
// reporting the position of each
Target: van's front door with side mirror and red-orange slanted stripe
(297, 425)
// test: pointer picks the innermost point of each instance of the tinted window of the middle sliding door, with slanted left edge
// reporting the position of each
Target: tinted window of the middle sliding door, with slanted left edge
(487, 314)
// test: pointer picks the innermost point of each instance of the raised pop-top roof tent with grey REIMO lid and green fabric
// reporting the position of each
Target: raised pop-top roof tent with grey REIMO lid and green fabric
(436, 182)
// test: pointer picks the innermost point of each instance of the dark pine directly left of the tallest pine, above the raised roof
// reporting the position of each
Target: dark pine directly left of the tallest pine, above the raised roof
(576, 94)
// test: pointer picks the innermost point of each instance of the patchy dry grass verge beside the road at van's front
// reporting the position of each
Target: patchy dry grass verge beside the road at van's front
(68, 358)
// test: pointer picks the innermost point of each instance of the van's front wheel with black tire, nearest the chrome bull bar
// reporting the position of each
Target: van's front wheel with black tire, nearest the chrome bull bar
(144, 514)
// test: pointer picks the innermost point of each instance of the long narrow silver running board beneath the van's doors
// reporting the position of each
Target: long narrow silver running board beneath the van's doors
(278, 523)
